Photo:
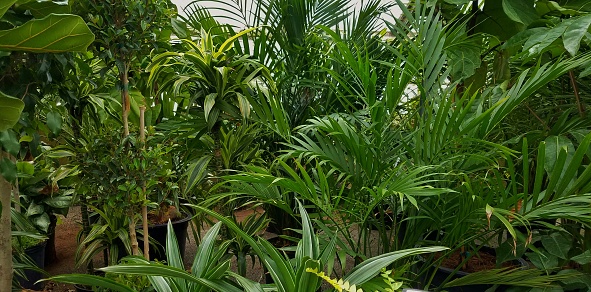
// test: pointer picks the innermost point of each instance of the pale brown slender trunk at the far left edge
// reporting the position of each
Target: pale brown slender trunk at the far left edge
(5, 234)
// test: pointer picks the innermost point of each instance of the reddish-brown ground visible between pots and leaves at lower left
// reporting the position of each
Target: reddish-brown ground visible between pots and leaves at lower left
(66, 232)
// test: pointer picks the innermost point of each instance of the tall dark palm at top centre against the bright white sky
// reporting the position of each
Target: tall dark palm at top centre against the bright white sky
(287, 39)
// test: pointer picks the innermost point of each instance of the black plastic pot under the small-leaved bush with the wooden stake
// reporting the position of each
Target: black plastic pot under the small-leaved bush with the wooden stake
(158, 234)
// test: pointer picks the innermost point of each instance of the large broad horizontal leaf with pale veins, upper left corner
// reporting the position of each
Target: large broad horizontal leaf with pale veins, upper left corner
(53, 34)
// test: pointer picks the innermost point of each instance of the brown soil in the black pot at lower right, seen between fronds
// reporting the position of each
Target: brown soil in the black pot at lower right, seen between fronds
(483, 261)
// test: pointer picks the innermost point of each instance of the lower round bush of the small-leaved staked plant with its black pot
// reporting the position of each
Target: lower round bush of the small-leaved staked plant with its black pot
(126, 174)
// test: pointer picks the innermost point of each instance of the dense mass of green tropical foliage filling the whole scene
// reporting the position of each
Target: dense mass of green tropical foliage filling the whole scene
(459, 123)
